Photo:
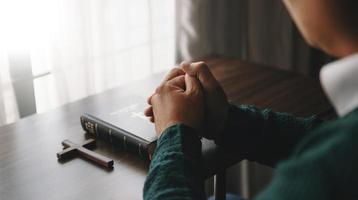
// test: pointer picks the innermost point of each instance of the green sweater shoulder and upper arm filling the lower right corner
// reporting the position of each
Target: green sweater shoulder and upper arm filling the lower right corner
(323, 166)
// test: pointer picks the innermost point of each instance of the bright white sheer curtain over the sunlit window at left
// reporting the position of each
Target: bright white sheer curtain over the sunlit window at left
(82, 47)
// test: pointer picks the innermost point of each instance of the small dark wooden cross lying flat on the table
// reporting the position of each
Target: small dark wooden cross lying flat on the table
(71, 148)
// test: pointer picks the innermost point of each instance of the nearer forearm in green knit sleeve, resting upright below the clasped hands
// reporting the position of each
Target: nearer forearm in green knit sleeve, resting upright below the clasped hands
(175, 171)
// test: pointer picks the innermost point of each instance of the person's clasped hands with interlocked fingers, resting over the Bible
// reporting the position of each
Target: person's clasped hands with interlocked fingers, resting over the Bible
(190, 95)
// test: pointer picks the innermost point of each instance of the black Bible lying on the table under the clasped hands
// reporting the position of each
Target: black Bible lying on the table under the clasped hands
(123, 124)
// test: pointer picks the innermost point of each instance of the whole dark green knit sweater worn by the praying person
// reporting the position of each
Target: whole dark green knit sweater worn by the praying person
(312, 160)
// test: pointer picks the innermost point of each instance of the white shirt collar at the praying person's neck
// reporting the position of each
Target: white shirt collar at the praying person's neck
(339, 80)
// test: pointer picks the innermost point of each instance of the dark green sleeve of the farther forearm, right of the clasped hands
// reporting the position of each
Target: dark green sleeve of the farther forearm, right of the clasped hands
(263, 136)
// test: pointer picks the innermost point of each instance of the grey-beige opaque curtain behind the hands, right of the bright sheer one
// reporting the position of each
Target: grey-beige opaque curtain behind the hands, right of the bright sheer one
(254, 30)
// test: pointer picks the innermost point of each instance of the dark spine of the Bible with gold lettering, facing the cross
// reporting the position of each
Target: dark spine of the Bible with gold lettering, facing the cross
(115, 137)
